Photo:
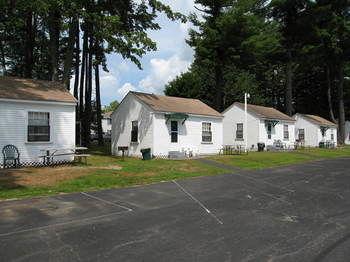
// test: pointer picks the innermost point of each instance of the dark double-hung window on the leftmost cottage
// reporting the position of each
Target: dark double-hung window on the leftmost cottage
(38, 127)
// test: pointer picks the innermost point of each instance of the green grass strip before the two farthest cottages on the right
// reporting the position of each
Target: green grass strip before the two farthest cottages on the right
(257, 160)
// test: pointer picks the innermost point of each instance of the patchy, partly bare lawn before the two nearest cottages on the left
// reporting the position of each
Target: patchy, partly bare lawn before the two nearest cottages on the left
(102, 171)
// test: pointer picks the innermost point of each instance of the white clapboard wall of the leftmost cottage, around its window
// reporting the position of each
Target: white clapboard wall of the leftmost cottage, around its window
(13, 128)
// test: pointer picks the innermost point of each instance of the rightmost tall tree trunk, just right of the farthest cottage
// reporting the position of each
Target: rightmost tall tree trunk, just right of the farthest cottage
(341, 110)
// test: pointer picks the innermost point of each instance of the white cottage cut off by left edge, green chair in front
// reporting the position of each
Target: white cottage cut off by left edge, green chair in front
(35, 115)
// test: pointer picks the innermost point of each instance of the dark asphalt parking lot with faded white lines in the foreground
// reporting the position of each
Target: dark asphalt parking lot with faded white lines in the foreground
(294, 213)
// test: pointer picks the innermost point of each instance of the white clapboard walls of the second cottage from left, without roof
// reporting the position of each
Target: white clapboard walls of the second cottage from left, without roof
(154, 131)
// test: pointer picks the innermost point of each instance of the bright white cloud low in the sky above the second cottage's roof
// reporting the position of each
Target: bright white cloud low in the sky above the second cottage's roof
(162, 71)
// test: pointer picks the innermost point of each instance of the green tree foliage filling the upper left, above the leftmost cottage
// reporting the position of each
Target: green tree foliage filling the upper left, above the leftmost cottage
(122, 26)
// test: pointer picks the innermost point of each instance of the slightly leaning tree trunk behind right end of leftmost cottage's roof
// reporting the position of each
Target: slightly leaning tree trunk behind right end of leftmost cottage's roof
(68, 60)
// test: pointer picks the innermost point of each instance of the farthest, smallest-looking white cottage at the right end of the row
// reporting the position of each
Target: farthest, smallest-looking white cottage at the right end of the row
(311, 130)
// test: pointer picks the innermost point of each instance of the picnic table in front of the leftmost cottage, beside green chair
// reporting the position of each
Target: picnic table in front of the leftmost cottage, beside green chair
(77, 152)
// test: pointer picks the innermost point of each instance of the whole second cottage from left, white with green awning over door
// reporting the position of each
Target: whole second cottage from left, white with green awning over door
(169, 126)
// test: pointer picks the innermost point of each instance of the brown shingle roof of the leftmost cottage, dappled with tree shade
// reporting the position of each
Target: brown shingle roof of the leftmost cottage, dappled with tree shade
(36, 90)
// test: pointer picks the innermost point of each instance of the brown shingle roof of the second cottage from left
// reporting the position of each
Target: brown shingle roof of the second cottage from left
(161, 103)
